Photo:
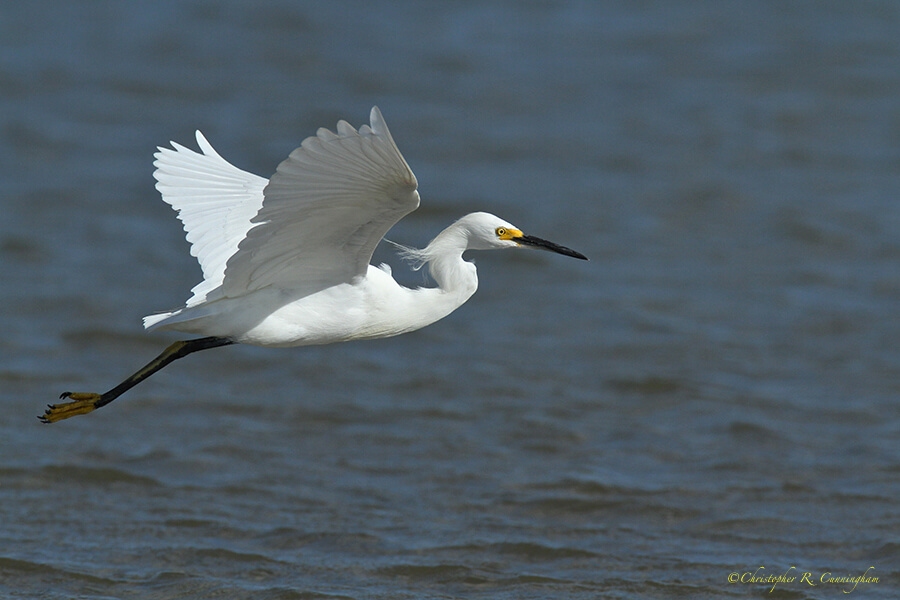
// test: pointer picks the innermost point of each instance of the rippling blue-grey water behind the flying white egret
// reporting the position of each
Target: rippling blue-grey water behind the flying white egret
(716, 391)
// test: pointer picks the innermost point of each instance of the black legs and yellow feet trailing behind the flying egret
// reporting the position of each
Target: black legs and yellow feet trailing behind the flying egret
(82, 403)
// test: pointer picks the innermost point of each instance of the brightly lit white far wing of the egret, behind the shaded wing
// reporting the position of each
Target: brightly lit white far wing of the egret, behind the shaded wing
(216, 202)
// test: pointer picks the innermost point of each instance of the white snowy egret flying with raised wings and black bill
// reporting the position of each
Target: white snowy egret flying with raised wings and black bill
(285, 262)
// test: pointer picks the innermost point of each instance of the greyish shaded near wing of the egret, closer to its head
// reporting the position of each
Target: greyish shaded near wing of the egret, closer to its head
(324, 211)
